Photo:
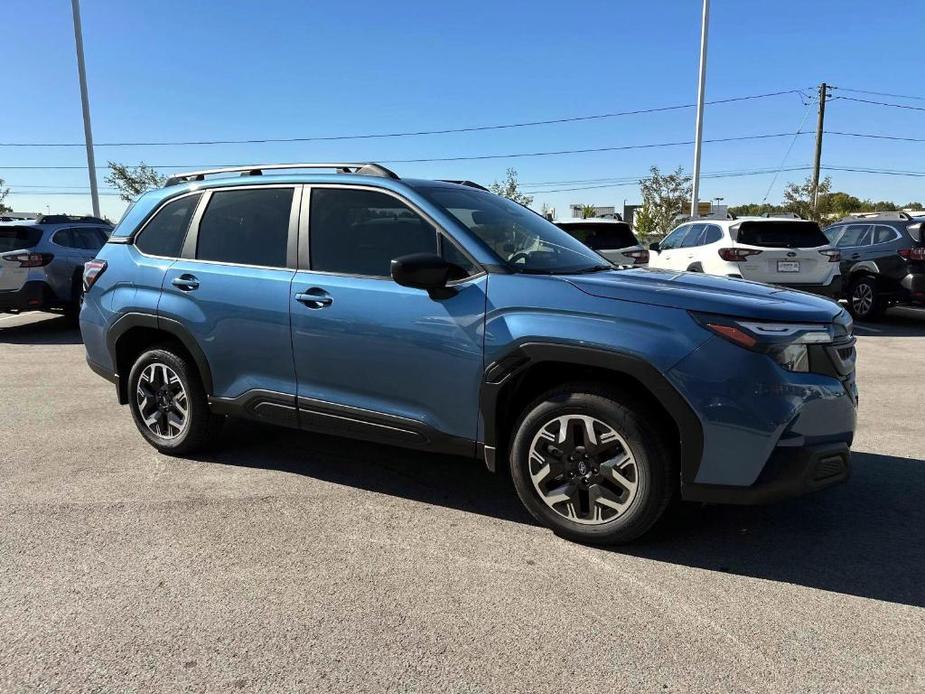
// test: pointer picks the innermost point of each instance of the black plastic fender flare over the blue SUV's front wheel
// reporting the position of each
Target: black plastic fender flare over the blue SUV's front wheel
(519, 358)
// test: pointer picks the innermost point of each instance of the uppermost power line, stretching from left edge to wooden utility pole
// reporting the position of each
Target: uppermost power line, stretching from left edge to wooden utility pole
(414, 133)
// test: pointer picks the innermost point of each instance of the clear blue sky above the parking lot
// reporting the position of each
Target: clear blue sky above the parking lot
(214, 70)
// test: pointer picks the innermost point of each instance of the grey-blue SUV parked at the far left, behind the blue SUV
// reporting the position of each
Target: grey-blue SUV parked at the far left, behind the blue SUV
(42, 261)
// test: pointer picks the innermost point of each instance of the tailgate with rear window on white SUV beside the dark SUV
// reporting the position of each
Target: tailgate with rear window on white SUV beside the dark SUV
(790, 252)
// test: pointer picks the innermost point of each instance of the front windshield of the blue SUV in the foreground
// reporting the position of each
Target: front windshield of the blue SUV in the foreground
(524, 240)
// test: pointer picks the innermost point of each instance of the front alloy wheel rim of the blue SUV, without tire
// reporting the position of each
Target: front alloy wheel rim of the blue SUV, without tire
(583, 469)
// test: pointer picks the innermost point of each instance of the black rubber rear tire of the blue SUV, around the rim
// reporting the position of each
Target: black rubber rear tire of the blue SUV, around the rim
(200, 425)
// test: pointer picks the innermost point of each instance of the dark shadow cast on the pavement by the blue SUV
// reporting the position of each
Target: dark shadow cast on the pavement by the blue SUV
(863, 538)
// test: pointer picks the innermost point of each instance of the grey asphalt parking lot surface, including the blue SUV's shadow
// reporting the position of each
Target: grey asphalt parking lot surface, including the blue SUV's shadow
(287, 561)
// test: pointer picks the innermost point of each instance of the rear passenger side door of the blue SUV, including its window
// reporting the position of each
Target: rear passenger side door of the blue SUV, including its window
(230, 290)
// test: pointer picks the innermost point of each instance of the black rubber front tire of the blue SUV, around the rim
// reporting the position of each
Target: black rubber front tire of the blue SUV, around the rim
(656, 475)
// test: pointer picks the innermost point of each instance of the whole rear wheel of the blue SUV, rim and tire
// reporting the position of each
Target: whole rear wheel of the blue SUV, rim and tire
(168, 402)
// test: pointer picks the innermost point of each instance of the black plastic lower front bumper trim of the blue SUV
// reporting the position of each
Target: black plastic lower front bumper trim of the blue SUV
(789, 472)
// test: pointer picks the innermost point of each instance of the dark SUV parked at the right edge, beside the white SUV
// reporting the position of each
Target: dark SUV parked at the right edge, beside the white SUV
(883, 261)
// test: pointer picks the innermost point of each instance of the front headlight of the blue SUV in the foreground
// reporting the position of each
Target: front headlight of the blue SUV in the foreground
(786, 343)
